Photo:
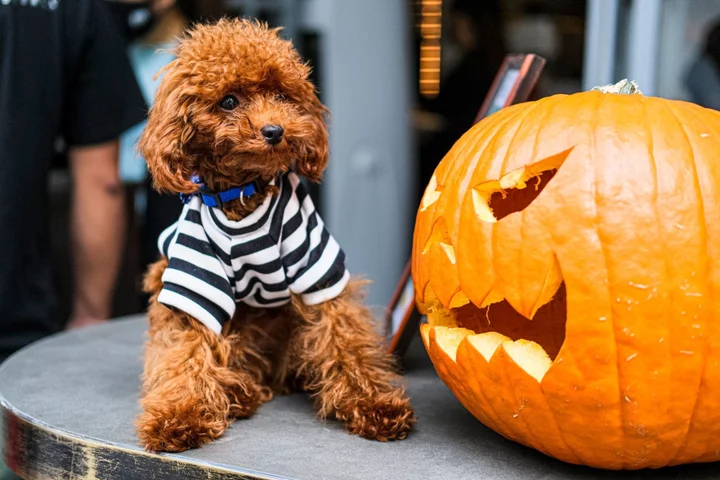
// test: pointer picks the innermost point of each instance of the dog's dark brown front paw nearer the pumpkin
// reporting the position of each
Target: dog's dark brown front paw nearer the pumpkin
(386, 420)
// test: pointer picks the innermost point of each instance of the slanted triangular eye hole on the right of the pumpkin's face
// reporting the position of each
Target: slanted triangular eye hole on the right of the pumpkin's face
(516, 190)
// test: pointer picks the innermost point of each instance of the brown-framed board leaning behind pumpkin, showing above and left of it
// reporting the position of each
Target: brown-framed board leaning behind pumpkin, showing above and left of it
(514, 83)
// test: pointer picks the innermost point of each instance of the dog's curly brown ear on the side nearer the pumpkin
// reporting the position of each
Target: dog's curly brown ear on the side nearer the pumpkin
(312, 162)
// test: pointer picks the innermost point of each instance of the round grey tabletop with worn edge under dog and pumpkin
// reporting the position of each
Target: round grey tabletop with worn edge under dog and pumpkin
(69, 401)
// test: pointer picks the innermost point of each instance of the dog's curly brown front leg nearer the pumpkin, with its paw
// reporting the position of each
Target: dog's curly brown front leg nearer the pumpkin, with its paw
(344, 364)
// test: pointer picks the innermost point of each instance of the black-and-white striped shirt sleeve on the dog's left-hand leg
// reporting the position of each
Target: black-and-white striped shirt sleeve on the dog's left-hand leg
(195, 281)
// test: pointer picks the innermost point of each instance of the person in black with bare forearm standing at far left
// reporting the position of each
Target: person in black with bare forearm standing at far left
(63, 73)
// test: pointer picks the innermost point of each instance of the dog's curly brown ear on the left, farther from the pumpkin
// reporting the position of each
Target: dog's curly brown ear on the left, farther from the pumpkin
(169, 130)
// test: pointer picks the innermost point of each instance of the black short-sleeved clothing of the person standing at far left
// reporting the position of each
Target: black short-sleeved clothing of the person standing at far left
(63, 72)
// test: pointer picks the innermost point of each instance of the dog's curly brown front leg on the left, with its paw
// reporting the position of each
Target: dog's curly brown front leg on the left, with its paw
(189, 393)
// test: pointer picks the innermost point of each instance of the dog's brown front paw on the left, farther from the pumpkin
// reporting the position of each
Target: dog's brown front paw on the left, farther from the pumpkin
(176, 429)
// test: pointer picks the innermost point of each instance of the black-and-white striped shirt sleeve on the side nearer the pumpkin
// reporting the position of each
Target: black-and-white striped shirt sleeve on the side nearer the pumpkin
(314, 261)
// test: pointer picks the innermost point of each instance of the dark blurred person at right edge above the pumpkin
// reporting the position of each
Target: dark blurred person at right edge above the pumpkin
(703, 77)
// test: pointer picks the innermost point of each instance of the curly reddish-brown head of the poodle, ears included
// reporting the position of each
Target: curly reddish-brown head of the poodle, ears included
(235, 105)
